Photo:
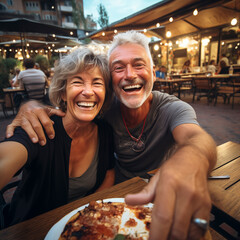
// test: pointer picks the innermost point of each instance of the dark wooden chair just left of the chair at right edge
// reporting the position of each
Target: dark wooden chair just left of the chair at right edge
(202, 86)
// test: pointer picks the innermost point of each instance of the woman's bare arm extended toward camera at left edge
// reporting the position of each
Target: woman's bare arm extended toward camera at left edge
(13, 156)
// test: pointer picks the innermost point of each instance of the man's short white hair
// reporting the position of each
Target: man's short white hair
(131, 37)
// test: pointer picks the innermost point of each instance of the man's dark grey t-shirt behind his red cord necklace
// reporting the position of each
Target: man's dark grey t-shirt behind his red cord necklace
(166, 113)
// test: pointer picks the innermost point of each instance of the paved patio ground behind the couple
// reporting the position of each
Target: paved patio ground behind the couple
(220, 121)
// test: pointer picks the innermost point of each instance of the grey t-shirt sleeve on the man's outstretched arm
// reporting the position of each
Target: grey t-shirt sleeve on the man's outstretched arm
(181, 113)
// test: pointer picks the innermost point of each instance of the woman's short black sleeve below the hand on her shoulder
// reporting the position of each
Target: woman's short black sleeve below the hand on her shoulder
(21, 137)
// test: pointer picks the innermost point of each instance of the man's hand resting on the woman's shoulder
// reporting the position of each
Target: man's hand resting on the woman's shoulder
(33, 117)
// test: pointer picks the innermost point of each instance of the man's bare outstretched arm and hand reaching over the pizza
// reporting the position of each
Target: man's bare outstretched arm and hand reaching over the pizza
(179, 189)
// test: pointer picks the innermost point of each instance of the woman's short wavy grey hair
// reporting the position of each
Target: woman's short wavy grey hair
(78, 61)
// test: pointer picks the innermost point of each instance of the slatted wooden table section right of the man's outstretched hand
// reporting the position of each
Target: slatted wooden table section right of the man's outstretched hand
(225, 193)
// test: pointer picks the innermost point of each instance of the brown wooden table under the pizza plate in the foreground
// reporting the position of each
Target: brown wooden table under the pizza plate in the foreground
(224, 199)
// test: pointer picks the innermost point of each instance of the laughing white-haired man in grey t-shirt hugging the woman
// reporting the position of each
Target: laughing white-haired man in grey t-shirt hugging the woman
(147, 127)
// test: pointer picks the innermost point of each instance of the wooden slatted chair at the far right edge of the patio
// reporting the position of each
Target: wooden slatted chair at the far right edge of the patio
(227, 88)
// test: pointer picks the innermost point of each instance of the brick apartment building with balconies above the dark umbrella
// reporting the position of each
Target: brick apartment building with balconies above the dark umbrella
(57, 12)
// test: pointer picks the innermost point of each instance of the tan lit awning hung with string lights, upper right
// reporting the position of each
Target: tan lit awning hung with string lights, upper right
(211, 14)
